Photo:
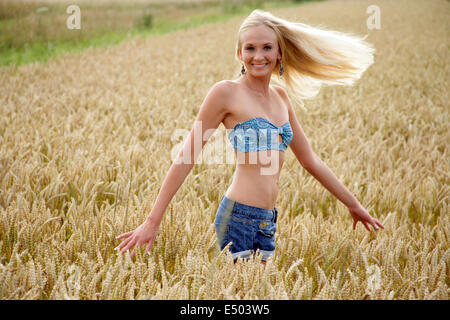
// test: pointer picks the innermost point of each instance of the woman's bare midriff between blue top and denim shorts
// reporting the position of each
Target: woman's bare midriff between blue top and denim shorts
(256, 178)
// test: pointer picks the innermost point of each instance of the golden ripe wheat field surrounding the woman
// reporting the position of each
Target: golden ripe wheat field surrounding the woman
(86, 140)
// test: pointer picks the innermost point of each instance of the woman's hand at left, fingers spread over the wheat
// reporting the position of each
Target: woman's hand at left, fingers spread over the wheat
(145, 233)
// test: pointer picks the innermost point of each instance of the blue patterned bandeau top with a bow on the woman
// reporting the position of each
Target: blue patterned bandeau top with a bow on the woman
(259, 134)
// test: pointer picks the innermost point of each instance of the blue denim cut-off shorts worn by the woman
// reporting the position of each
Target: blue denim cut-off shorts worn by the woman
(248, 228)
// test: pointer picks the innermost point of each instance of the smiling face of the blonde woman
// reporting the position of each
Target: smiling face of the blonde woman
(259, 50)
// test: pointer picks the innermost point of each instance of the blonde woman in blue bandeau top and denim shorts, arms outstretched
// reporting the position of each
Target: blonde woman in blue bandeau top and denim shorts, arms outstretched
(261, 124)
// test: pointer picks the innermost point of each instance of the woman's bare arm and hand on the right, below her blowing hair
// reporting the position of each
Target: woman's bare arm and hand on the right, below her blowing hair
(319, 170)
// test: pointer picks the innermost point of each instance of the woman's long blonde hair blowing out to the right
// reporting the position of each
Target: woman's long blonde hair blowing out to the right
(311, 56)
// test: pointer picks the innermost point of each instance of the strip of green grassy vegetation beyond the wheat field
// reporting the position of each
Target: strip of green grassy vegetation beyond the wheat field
(36, 32)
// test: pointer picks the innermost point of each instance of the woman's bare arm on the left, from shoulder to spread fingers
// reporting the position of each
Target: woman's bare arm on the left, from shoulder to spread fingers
(211, 113)
